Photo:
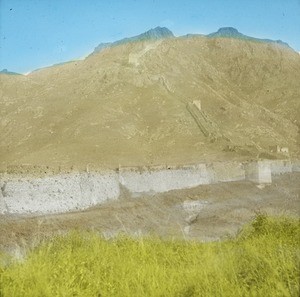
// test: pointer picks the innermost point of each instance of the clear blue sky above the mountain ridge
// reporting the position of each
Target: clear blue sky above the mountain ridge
(38, 33)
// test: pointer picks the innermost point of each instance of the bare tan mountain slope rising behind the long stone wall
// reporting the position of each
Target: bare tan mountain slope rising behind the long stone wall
(132, 104)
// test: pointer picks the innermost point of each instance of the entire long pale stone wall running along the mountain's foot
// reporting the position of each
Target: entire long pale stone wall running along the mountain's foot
(59, 192)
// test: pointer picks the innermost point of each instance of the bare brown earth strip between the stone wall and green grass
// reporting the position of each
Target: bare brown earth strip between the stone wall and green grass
(227, 207)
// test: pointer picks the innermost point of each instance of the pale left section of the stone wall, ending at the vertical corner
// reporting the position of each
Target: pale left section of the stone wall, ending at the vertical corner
(59, 193)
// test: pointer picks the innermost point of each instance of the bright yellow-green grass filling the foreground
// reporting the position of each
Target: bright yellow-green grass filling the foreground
(263, 261)
